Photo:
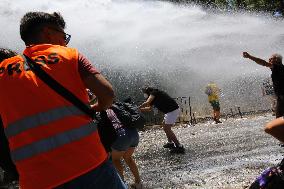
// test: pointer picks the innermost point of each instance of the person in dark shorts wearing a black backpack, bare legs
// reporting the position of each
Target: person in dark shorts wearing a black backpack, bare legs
(121, 117)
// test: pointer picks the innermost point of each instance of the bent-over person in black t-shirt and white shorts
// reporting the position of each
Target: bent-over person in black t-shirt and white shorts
(164, 103)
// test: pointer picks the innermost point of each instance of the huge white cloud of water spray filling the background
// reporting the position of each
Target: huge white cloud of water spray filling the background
(180, 48)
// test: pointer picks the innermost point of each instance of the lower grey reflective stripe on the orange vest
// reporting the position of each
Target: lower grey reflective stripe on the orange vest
(53, 142)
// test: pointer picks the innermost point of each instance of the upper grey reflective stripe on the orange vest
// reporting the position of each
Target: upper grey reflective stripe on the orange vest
(39, 119)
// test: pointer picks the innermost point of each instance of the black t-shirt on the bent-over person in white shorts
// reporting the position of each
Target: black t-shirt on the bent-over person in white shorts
(163, 101)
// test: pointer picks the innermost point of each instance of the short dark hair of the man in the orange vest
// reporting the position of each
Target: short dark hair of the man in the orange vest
(33, 22)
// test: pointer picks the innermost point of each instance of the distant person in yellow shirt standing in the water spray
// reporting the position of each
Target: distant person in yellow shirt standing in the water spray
(213, 97)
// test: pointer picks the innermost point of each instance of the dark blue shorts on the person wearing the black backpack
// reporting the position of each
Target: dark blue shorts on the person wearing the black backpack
(130, 139)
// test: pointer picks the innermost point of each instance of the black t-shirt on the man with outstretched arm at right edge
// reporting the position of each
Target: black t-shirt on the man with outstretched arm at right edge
(278, 78)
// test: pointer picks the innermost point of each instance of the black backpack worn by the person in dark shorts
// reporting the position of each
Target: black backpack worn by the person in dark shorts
(129, 115)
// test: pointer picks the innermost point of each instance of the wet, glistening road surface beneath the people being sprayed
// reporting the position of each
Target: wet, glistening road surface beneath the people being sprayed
(227, 155)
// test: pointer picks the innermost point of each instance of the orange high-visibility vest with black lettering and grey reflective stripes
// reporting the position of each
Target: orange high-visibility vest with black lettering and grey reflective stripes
(51, 141)
